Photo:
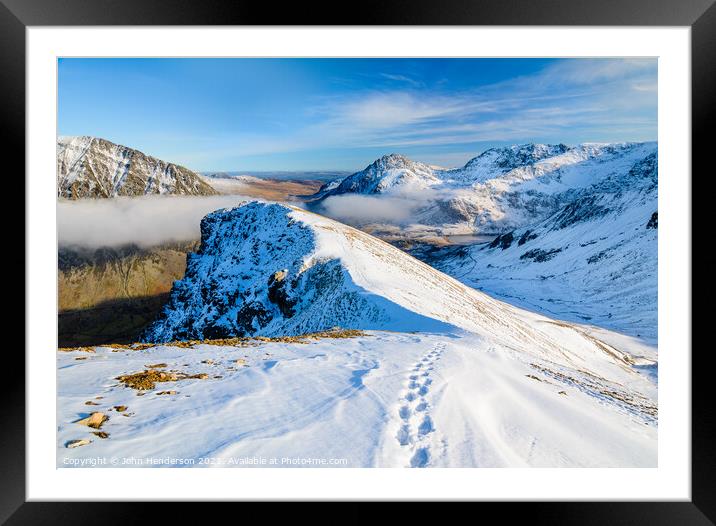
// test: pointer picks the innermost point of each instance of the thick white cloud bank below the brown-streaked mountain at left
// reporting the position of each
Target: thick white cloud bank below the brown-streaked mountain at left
(144, 221)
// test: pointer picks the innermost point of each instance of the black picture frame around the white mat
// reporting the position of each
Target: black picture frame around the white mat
(700, 15)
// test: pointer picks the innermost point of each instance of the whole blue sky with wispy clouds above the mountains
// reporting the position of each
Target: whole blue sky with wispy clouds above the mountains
(326, 114)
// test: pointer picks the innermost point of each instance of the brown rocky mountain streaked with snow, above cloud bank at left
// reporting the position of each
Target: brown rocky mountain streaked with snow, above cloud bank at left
(90, 167)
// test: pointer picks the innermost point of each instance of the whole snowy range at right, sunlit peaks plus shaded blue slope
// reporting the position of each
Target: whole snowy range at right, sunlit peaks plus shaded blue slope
(577, 226)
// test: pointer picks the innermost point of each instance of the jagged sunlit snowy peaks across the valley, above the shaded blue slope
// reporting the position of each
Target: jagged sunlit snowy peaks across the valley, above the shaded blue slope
(497, 191)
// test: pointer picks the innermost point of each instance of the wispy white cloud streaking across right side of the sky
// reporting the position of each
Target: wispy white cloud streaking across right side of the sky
(594, 99)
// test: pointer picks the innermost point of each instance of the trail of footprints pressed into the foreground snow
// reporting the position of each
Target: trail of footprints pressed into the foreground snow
(416, 423)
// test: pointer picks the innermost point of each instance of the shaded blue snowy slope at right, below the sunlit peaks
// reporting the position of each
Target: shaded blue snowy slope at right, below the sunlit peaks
(594, 259)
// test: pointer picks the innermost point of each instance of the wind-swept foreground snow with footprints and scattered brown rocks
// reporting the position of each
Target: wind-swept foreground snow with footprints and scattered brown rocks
(381, 400)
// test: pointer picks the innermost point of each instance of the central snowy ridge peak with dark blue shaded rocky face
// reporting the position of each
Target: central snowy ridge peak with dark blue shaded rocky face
(274, 270)
